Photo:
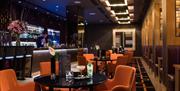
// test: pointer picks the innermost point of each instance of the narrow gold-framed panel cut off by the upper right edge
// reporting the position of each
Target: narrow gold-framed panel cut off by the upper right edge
(177, 32)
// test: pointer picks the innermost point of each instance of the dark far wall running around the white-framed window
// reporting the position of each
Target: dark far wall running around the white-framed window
(101, 34)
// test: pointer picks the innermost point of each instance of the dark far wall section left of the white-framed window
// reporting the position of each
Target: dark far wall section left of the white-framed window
(98, 34)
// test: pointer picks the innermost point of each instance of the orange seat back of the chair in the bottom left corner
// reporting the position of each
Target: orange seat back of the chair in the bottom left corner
(8, 80)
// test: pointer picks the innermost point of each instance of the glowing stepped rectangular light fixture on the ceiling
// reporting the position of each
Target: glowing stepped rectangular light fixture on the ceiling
(119, 10)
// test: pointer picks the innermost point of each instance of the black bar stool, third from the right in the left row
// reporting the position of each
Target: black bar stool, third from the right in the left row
(9, 55)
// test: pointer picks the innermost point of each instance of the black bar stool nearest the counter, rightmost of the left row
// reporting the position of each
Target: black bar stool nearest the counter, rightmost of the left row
(29, 56)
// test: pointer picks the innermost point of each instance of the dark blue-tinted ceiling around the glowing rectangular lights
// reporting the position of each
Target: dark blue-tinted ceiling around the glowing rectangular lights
(94, 10)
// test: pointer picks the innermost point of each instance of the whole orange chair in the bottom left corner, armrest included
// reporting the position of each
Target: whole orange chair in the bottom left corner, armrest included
(8, 82)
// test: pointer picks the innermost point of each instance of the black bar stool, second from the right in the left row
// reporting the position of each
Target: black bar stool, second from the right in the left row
(20, 61)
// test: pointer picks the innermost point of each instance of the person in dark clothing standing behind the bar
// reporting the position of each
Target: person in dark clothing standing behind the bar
(42, 40)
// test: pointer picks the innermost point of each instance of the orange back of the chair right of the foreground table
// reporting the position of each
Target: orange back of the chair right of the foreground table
(123, 75)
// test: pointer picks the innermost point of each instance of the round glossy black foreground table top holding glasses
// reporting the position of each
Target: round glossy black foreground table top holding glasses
(61, 82)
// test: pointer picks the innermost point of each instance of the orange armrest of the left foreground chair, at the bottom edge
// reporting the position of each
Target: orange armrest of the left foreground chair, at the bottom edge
(30, 86)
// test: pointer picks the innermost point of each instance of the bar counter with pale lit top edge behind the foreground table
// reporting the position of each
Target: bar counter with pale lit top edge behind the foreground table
(42, 54)
